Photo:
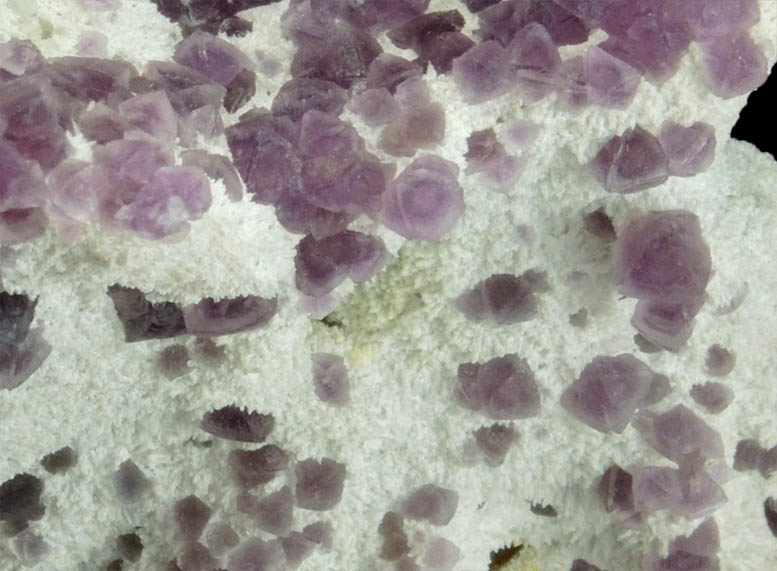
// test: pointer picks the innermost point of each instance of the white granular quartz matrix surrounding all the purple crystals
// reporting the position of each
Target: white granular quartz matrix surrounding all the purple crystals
(401, 338)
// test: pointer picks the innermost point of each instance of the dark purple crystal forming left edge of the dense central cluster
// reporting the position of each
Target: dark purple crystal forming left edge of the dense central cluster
(264, 154)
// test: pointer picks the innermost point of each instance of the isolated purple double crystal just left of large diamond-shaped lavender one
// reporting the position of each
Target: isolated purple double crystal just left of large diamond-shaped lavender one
(503, 388)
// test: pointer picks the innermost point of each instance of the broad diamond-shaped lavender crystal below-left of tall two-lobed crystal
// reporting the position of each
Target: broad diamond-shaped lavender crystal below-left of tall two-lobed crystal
(608, 392)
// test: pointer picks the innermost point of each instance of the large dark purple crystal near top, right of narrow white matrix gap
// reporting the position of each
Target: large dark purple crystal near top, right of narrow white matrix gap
(342, 56)
